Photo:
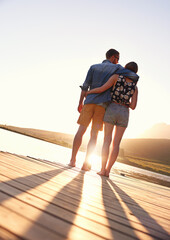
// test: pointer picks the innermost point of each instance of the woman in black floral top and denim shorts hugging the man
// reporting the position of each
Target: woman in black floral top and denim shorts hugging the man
(124, 96)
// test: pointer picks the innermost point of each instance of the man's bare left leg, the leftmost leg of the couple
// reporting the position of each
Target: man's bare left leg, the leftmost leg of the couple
(76, 144)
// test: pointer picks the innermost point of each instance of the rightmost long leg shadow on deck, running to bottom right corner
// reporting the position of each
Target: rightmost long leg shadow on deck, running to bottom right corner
(155, 230)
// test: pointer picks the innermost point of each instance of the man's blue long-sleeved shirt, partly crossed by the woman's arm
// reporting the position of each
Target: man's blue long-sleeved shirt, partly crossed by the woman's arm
(98, 75)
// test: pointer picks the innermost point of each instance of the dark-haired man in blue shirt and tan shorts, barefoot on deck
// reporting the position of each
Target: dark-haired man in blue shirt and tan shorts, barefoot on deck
(95, 104)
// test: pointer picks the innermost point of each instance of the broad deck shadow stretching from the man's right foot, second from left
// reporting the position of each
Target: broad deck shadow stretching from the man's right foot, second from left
(60, 213)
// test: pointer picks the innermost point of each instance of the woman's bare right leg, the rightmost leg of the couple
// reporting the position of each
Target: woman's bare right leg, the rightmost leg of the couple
(119, 131)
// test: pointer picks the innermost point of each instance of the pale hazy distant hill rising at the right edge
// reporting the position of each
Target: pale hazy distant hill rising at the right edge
(160, 130)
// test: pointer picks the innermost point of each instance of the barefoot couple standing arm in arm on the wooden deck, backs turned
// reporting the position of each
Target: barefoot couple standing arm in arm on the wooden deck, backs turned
(112, 92)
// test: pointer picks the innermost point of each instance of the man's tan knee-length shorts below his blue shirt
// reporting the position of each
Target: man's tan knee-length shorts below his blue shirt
(92, 112)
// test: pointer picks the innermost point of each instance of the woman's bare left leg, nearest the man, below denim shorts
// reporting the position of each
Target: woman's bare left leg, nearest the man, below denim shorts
(108, 129)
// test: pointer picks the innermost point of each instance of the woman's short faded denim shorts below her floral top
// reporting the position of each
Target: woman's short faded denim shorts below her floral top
(117, 114)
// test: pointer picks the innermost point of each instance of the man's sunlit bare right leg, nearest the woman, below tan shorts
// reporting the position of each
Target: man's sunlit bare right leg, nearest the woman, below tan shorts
(90, 148)
